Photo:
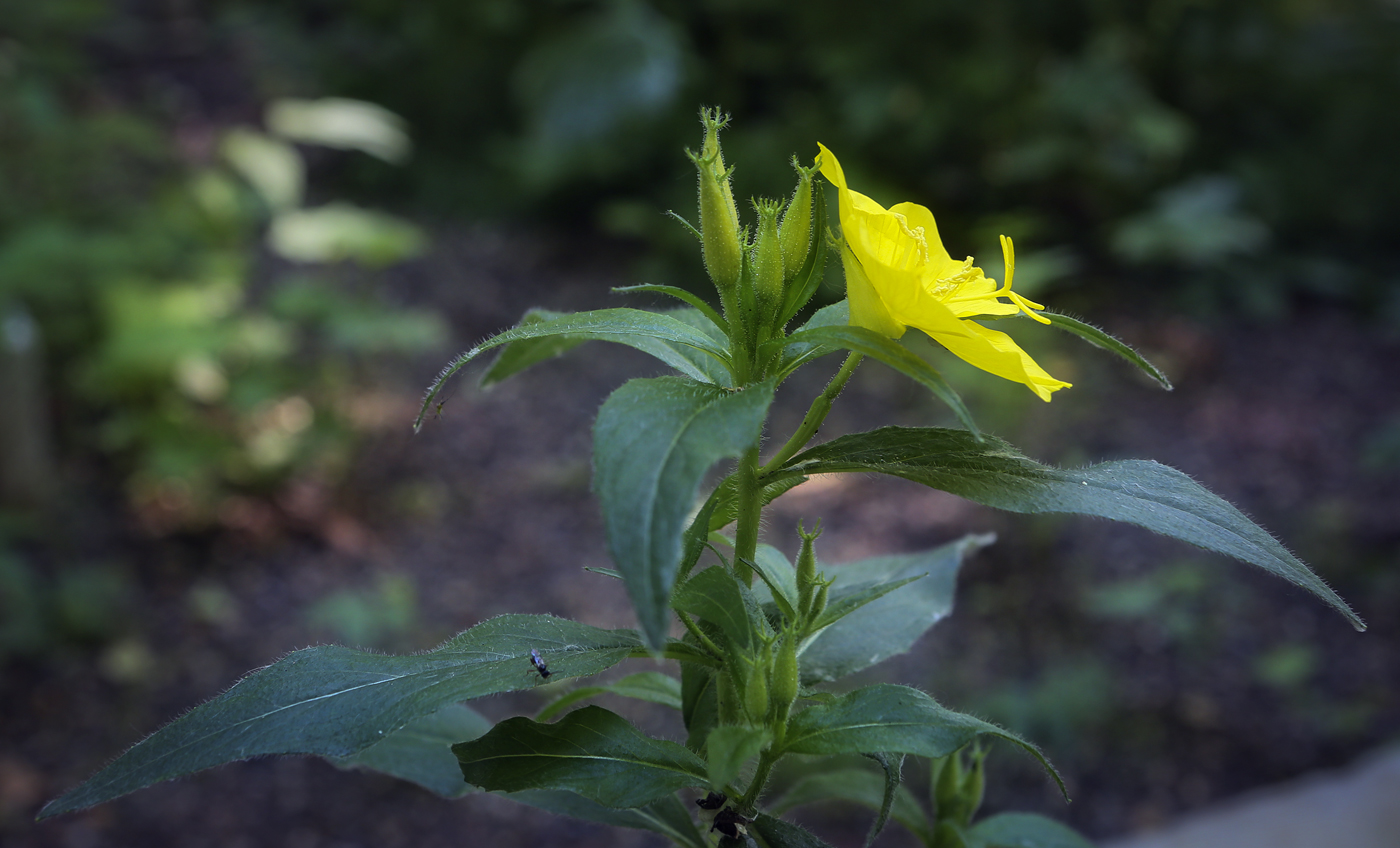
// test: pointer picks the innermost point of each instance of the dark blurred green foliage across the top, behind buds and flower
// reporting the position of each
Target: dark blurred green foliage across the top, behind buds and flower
(1249, 143)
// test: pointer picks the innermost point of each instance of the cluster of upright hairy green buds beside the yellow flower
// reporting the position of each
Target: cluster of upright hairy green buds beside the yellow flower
(765, 275)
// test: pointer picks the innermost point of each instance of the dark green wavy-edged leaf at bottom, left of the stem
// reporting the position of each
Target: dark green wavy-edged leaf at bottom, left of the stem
(591, 752)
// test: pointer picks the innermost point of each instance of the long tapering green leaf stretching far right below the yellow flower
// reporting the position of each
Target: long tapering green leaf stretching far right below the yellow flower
(1137, 492)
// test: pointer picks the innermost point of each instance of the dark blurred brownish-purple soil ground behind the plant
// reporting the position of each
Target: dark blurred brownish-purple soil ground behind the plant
(1158, 678)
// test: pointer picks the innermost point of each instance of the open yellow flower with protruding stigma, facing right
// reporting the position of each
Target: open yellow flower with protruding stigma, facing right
(899, 276)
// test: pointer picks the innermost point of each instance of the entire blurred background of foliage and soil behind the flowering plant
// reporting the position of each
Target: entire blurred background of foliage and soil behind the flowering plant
(213, 335)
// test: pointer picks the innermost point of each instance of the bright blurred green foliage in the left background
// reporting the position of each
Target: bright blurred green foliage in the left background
(174, 342)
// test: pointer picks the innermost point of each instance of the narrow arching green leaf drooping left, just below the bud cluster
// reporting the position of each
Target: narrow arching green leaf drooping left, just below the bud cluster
(661, 337)
